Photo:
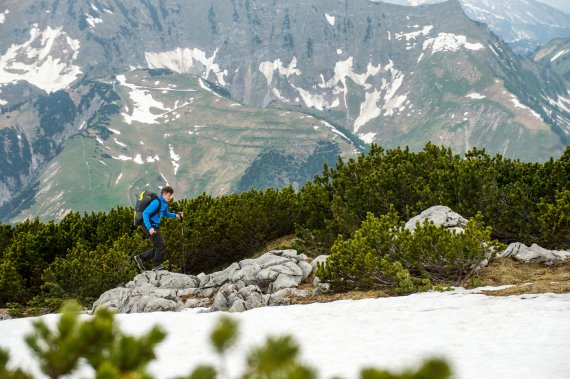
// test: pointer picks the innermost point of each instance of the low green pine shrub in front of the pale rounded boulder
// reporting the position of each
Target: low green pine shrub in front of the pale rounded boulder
(383, 253)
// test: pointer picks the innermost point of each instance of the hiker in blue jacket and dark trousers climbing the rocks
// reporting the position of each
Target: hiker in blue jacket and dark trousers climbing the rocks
(151, 216)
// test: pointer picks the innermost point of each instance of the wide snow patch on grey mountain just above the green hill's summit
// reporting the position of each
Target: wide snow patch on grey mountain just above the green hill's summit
(185, 60)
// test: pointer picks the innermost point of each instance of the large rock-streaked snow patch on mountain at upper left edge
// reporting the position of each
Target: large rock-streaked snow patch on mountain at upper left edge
(45, 60)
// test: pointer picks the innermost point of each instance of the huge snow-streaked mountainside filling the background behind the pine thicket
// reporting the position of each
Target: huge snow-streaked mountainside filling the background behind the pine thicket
(352, 72)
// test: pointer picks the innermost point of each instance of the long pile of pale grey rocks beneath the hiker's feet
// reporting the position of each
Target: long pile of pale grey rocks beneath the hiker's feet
(268, 280)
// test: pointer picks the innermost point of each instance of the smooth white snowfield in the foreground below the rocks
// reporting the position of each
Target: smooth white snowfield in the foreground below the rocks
(525, 336)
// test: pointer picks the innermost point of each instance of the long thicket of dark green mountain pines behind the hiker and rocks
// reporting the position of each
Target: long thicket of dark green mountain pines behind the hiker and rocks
(523, 202)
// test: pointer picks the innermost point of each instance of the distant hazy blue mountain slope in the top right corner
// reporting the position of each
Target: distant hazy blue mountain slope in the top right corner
(523, 24)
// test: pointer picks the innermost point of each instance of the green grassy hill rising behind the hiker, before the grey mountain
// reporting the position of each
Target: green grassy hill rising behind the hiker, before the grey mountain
(216, 139)
